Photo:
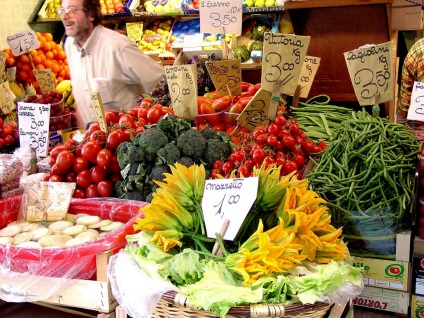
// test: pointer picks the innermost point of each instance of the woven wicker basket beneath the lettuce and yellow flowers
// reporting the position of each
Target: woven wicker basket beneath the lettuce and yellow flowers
(173, 304)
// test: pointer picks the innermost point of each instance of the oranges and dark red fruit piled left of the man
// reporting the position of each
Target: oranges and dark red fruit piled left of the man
(49, 55)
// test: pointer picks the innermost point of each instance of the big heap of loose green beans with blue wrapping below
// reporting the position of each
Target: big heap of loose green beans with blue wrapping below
(367, 177)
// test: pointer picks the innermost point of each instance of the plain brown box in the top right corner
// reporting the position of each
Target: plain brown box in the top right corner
(407, 18)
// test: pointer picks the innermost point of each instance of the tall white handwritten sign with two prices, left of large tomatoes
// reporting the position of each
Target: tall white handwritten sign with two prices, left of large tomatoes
(34, 126)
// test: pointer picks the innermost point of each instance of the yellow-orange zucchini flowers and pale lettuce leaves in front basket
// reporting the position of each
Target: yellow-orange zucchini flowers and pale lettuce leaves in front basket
(282, 255)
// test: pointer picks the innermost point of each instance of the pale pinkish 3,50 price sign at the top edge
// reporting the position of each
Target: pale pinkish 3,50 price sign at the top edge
(218, 14)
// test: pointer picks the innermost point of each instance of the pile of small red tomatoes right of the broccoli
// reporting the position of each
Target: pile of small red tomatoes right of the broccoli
(282, 143)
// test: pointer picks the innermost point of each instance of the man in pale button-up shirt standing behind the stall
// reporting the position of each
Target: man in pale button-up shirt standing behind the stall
(103, 60)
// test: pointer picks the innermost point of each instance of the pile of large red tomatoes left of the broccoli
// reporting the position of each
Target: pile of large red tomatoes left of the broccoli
(92, 163)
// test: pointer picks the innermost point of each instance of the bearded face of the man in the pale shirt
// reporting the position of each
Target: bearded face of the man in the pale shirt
(76, 21)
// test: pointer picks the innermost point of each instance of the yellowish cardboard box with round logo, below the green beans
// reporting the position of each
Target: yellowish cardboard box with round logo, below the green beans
(384, 273)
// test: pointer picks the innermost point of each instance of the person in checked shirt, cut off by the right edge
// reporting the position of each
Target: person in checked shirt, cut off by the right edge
(412, 71)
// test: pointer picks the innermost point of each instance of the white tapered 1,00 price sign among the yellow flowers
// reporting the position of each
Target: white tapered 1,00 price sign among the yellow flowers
(227, 199)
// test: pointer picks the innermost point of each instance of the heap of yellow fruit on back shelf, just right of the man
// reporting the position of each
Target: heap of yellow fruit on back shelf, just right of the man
(155, 36)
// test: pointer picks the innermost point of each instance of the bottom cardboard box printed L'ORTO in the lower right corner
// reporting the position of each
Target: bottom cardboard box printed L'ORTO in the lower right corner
(383, 299)
